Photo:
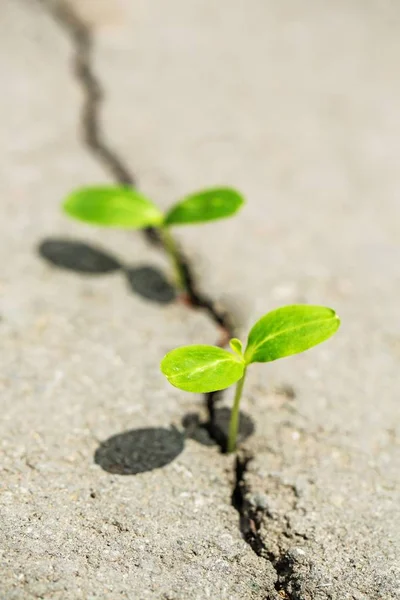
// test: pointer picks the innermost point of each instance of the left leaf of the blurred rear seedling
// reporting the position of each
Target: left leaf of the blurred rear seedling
(110, 206)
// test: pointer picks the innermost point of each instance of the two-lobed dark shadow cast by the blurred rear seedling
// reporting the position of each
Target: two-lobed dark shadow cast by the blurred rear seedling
(145, 281)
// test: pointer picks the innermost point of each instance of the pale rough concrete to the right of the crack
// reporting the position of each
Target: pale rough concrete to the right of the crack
(292, 104)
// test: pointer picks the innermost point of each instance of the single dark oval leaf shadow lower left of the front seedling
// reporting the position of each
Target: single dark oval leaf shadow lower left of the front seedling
(139, 450)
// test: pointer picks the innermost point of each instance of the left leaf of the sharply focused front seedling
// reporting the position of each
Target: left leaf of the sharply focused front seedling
(201, 368)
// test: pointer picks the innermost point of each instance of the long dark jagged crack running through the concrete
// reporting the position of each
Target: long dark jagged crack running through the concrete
(82, 40)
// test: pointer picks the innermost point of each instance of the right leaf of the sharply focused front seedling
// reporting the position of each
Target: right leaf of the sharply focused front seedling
(290, 330)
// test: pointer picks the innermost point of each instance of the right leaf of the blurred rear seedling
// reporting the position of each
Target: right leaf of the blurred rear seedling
(209, 205)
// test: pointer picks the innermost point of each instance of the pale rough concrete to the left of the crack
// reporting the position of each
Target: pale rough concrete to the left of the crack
(80, 358)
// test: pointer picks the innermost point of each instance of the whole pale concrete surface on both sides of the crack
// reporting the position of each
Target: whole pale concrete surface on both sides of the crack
(297, 105)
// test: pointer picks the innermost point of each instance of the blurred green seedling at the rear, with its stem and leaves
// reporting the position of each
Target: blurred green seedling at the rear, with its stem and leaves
(126, 208)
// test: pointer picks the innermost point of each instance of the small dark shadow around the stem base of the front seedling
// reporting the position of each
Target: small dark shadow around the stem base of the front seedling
(215, 432)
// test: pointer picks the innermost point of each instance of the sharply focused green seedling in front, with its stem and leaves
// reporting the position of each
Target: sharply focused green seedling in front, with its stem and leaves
(282, 332)
